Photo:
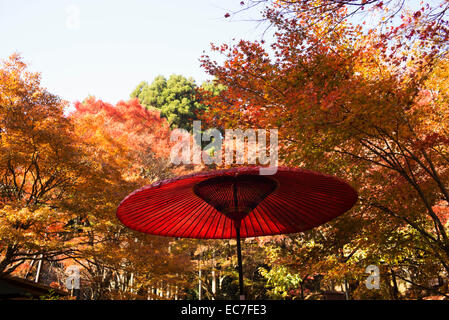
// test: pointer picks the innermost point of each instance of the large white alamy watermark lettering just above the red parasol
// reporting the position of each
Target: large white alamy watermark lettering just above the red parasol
(239, 146)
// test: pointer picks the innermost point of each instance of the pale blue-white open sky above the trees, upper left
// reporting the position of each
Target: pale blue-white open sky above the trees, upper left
(116, 44)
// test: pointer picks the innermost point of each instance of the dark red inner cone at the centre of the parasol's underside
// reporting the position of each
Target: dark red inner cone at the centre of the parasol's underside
(235, 195)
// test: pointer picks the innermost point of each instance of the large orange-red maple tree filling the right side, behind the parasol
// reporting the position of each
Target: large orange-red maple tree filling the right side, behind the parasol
(346, 103)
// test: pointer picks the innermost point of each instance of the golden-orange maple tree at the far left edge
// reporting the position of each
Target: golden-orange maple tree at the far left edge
(40, 165)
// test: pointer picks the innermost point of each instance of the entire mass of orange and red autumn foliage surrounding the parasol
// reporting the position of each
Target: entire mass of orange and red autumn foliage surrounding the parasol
(368, 103)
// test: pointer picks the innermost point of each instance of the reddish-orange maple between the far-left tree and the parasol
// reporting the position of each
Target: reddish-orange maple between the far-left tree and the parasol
(130, 146)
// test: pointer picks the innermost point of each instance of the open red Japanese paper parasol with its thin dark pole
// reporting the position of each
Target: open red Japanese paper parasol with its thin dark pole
(236, 203)
